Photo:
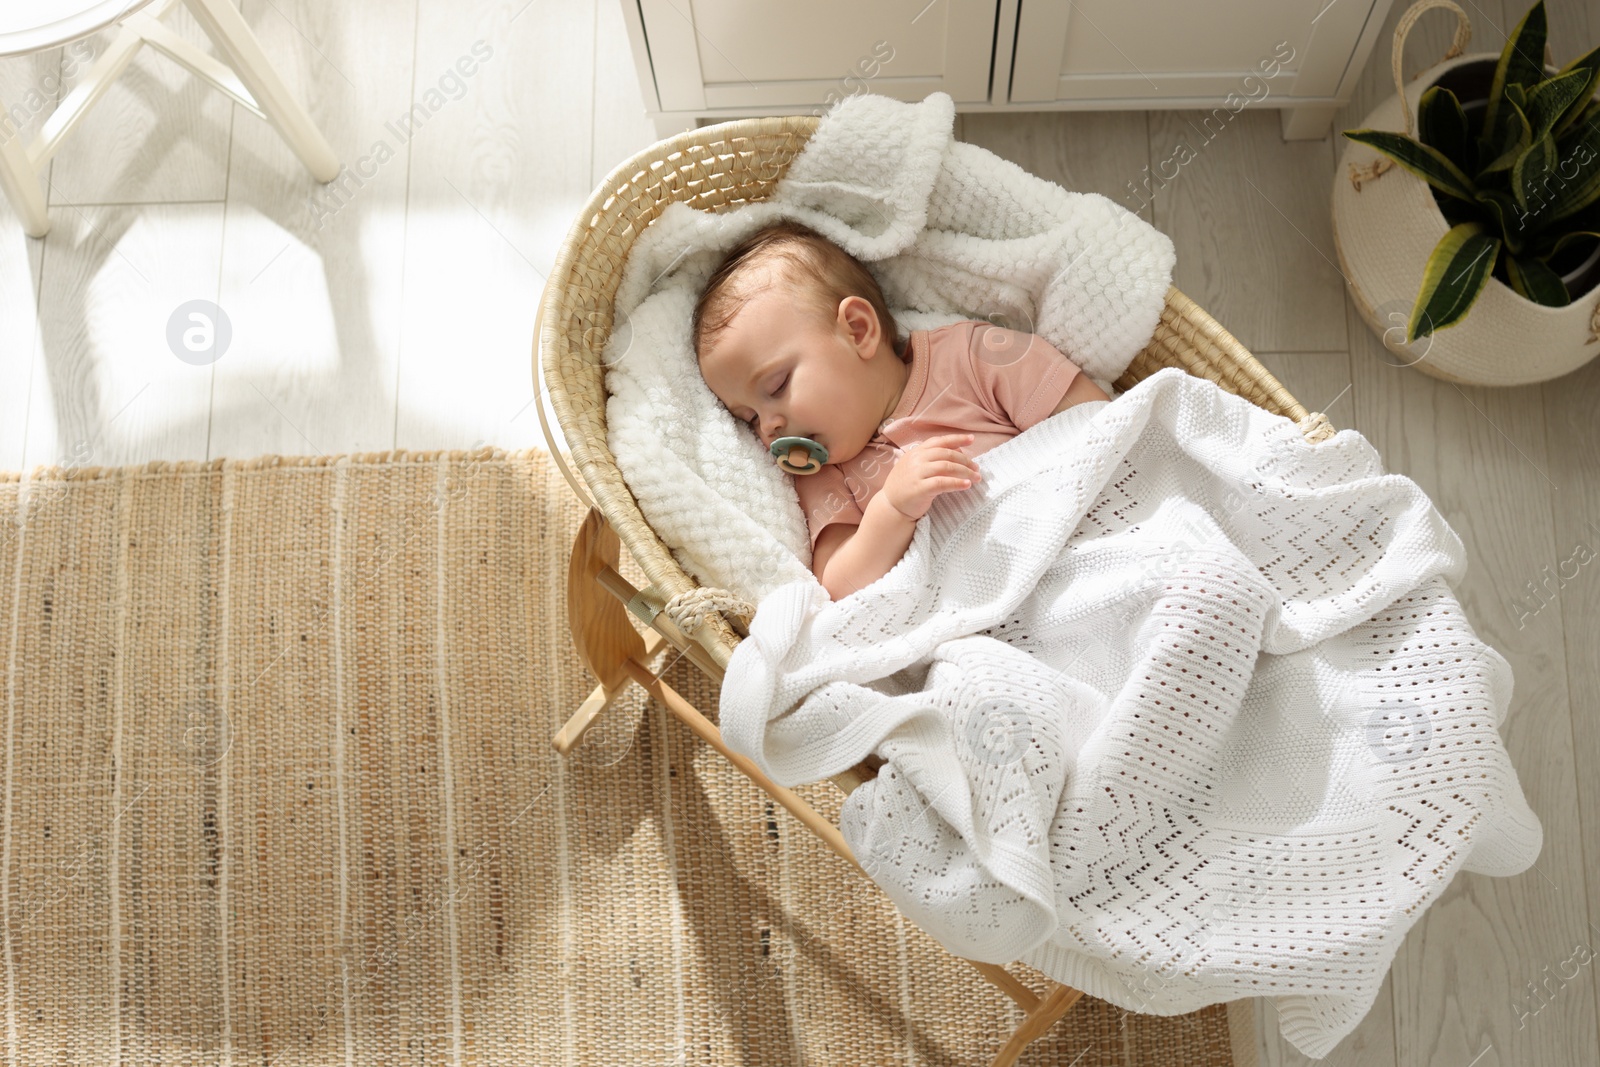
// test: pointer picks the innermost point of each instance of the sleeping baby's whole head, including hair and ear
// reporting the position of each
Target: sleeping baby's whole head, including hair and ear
(796, 338)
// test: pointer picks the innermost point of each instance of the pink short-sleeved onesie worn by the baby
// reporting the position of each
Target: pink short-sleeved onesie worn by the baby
(966, 378)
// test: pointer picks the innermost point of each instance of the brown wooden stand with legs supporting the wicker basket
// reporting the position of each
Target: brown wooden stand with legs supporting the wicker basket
(614, 652)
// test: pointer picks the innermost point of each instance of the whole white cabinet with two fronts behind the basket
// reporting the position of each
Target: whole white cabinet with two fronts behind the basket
(703, 60)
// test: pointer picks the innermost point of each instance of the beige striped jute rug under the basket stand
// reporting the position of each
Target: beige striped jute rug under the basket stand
(279, 789)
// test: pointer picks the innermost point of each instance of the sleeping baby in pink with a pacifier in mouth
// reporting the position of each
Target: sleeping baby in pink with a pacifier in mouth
(796, 338)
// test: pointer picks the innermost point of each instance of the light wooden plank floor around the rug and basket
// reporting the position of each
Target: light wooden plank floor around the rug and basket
(396, 311)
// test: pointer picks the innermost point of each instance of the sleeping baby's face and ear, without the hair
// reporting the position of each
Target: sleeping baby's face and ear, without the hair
(791, 374)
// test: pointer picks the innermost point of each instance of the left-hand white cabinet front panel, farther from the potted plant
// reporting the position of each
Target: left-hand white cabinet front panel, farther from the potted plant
(732, 54)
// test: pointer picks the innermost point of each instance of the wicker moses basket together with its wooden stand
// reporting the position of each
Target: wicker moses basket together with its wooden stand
(719, 169)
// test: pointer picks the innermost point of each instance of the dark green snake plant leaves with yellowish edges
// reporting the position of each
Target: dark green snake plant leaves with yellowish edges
(1518, 182)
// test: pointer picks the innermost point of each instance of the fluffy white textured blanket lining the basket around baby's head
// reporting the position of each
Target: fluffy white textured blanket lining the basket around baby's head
(951, 233)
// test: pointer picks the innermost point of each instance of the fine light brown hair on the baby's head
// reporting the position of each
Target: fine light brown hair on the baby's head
(814, 270)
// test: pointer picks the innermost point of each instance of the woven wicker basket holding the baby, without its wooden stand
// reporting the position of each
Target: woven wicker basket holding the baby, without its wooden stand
(718, 169)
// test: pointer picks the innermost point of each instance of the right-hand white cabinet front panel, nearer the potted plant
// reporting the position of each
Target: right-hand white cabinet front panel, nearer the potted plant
(1158, 50)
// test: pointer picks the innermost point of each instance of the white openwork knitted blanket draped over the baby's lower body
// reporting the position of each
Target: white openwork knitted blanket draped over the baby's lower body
(1175, 708)
